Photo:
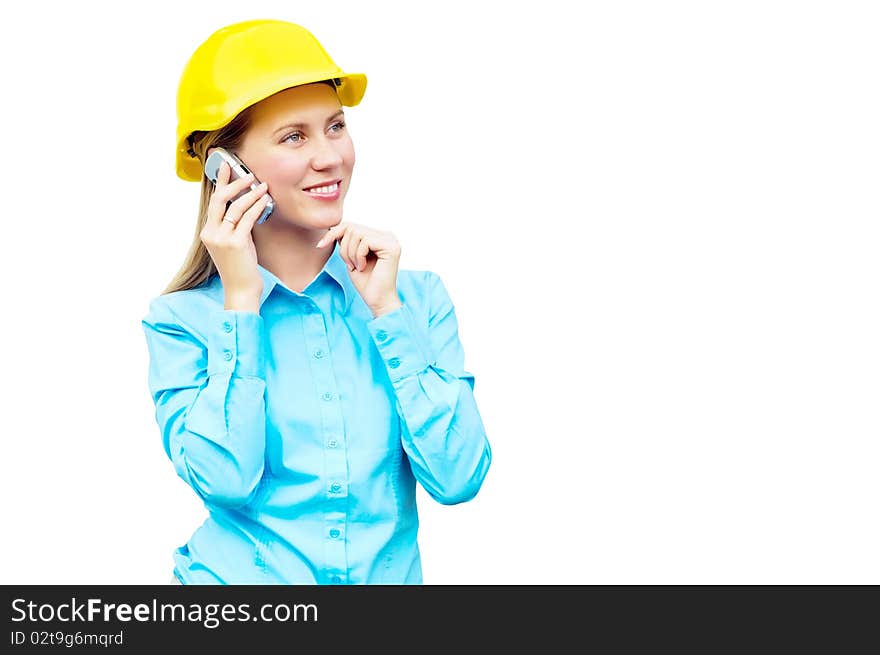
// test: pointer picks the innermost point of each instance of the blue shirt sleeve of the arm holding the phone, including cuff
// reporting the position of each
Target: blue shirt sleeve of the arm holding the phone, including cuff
(210, 400)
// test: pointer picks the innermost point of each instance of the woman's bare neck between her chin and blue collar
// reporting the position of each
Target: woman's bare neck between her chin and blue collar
(289, 252)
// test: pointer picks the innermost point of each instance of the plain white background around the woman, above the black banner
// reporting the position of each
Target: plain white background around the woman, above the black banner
(658, 223)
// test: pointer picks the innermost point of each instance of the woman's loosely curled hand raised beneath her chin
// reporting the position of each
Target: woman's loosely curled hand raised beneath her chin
(372, 257)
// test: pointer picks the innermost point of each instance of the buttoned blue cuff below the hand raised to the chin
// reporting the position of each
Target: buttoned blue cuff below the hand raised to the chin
(402, 342)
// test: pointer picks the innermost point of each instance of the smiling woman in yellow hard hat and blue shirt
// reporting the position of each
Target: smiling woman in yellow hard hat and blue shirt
(302, 383)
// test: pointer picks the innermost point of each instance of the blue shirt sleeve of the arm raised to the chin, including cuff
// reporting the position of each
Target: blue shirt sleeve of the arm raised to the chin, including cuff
(442, 432)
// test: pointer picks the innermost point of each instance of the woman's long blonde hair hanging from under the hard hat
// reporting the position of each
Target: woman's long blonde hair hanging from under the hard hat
(198, 266)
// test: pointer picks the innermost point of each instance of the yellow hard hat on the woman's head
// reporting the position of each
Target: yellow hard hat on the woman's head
(239, 65)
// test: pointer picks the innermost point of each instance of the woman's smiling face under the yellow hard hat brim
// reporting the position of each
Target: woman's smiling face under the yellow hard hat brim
(298, 140)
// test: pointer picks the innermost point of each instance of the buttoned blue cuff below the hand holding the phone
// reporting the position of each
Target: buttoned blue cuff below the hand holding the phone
(235, 344)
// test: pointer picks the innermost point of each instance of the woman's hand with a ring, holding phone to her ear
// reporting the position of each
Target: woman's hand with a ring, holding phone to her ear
(227, 233)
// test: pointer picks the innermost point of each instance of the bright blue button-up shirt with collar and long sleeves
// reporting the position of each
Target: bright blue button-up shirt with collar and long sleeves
(305, 427)
